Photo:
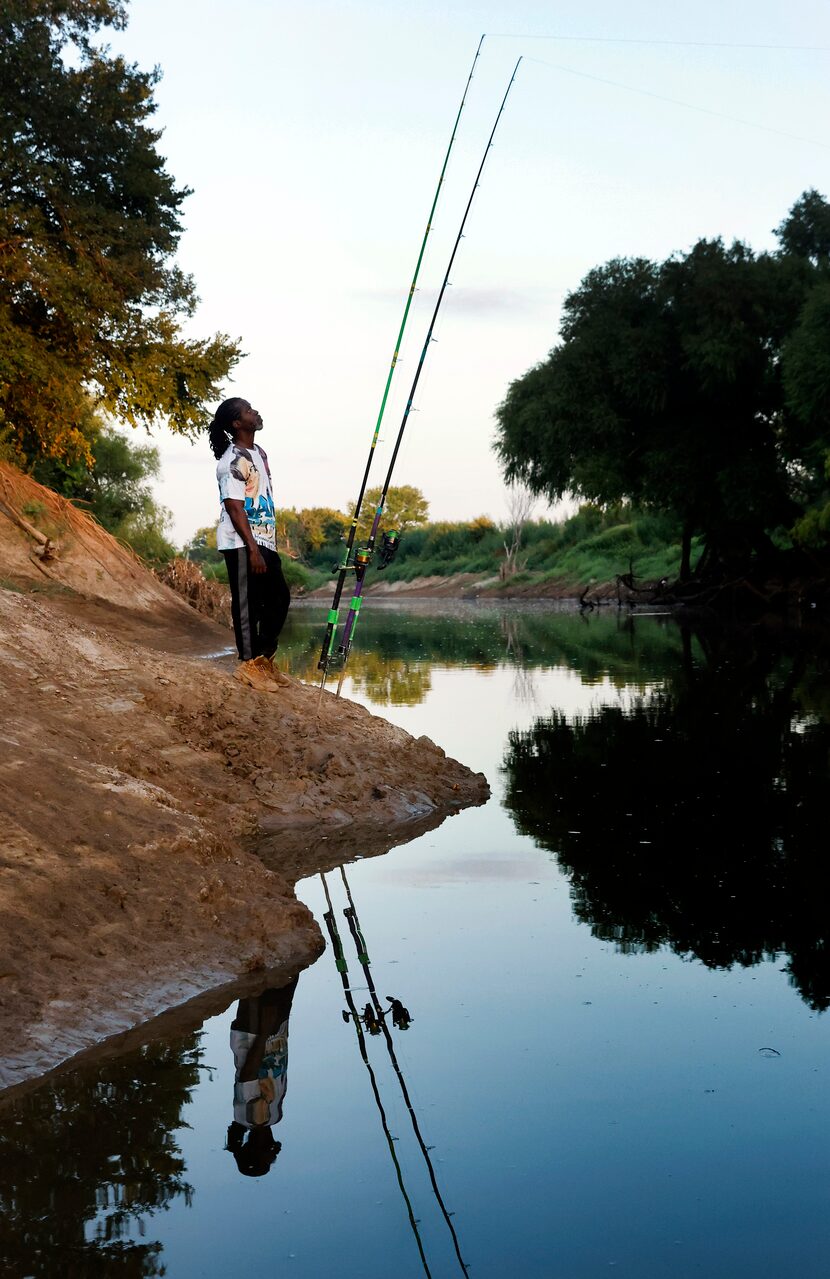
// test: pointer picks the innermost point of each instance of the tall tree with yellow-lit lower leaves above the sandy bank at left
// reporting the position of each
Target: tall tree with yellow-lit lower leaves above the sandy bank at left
(90, 219)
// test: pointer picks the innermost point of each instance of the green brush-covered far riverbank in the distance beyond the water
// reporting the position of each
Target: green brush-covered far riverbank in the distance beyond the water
(621, 554)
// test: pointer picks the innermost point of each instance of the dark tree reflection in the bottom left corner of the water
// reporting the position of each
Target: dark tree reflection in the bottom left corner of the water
(82, 1168)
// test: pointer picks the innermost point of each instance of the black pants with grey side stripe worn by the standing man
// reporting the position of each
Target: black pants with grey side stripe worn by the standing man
(259, 602)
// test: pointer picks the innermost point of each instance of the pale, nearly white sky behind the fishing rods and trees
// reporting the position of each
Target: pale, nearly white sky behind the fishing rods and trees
(313, 136)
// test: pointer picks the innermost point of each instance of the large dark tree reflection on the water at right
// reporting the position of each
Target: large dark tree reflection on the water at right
(696, 818)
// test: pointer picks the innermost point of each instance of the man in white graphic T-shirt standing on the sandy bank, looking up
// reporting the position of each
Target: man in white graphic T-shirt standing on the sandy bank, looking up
(247, 539)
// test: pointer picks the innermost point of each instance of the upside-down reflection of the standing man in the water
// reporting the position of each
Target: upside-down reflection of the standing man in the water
(259, 1042)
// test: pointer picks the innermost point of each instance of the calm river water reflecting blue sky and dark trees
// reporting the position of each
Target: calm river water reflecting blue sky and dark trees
(617, 975)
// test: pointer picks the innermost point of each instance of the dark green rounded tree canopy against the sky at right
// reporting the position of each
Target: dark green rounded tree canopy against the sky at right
(699, 386)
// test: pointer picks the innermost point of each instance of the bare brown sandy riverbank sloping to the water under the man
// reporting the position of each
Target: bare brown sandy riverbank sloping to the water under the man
(136, 781)
